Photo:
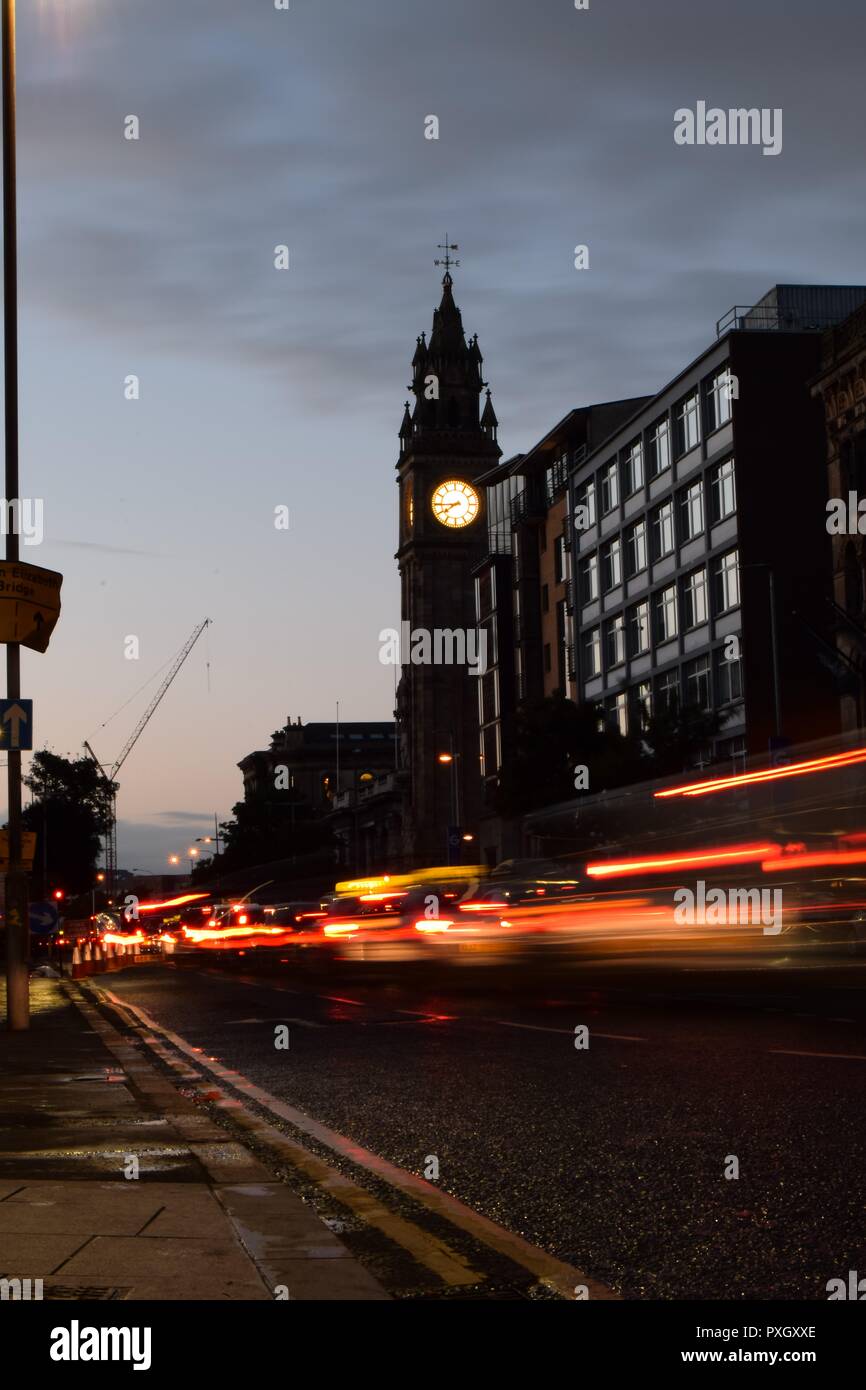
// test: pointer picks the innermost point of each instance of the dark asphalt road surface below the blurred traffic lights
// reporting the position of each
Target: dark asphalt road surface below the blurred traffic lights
(611, 1157)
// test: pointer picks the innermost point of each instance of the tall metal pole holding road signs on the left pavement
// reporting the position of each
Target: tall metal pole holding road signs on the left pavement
(17, 925)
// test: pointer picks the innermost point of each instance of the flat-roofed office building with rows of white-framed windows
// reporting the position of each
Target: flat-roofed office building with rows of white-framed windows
(698, 543)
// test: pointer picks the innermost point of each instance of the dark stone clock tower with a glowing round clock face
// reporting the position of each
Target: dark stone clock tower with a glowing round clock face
(447, 445)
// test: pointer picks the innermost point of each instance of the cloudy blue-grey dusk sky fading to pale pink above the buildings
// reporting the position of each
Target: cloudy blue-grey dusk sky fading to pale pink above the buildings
(263, 389)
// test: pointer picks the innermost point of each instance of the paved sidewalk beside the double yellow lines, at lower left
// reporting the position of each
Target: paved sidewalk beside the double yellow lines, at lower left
(80, 1109)
